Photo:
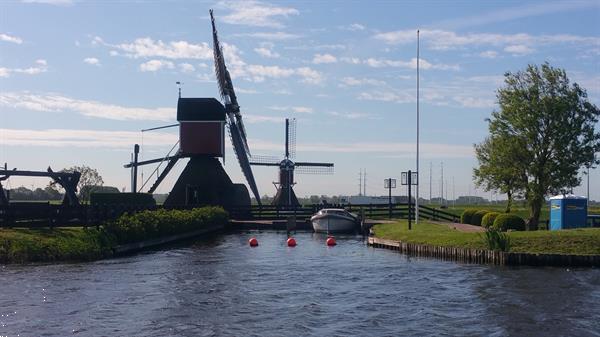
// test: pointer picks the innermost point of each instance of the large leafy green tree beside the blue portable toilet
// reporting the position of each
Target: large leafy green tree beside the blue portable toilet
(543, 133)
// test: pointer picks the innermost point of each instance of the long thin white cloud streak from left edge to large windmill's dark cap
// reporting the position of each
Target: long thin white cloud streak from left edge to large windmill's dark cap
(58, 103)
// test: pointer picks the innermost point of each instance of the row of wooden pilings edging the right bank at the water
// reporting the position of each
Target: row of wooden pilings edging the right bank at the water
(484, 256)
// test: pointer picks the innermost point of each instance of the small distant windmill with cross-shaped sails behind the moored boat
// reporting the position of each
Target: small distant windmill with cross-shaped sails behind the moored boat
(285, 195)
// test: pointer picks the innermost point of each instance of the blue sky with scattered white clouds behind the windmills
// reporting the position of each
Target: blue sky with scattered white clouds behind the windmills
(80, 79)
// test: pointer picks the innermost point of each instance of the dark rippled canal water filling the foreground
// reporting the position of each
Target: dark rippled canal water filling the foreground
(222, 287)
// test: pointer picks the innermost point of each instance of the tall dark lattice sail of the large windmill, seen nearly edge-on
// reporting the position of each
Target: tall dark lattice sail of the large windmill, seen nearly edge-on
(232, 108)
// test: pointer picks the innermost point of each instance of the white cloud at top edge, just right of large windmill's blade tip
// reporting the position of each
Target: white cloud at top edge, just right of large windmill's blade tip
(255, 13)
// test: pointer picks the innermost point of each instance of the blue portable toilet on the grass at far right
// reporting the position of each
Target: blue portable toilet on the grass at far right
(568, 211)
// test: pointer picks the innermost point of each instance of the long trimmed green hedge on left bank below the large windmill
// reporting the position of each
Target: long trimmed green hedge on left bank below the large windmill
(147, 225)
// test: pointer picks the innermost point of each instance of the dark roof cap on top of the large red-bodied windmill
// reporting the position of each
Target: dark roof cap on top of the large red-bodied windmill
(200, 109)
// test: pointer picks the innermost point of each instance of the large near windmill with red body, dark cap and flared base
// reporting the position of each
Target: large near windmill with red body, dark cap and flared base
(201, 138)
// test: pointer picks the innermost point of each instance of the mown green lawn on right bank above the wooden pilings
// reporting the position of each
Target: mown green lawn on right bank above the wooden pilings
(575, 241)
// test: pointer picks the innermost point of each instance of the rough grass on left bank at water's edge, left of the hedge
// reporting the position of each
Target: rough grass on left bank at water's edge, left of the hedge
(21, 245)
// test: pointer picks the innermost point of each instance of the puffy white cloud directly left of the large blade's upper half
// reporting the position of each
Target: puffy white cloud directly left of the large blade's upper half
(148, 48)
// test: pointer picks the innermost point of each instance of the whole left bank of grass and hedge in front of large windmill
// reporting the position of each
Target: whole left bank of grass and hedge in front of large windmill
(22, 245)
